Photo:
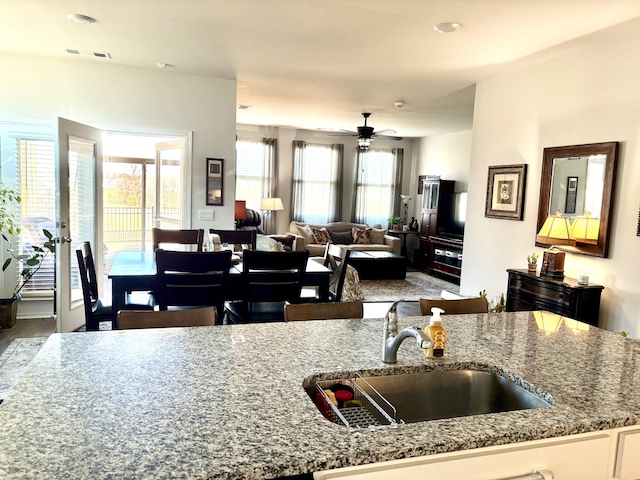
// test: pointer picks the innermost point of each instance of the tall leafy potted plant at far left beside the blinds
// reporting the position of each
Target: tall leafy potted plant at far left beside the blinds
(30, 262)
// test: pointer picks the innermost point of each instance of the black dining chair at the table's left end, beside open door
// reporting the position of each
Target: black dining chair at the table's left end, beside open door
(98, 309)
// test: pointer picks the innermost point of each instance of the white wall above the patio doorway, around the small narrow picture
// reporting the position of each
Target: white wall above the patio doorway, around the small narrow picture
(131, 99)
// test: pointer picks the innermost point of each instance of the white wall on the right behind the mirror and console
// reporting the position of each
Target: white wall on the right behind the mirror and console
(585, 97)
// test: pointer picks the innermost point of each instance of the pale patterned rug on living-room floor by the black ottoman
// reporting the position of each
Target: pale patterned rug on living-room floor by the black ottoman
(417, 285)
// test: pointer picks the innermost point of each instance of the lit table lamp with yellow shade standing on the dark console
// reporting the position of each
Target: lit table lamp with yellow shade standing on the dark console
(555, 231)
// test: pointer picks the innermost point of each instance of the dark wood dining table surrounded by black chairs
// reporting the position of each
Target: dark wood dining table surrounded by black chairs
(136, 271)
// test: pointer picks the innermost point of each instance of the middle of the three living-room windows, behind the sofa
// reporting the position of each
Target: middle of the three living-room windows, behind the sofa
(317, 182)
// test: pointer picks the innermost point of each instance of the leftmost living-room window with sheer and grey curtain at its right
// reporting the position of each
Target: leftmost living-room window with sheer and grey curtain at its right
(256, 175)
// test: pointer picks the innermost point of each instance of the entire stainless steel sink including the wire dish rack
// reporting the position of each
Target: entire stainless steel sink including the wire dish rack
(417, 397)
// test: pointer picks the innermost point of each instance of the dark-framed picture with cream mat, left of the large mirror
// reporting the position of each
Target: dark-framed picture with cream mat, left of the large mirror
(505, 192)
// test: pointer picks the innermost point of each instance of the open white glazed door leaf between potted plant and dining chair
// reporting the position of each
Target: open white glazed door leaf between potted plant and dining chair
(78, 165)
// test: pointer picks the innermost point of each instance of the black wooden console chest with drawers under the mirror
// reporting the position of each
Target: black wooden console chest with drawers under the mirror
(531, 291)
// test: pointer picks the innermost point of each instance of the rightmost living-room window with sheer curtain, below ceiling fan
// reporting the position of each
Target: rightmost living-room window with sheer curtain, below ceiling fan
(378, 184)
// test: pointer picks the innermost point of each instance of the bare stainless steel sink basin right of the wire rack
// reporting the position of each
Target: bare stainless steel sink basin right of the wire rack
(450, 393)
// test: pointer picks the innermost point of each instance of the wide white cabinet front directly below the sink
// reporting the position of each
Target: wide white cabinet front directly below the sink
(584, 457)
